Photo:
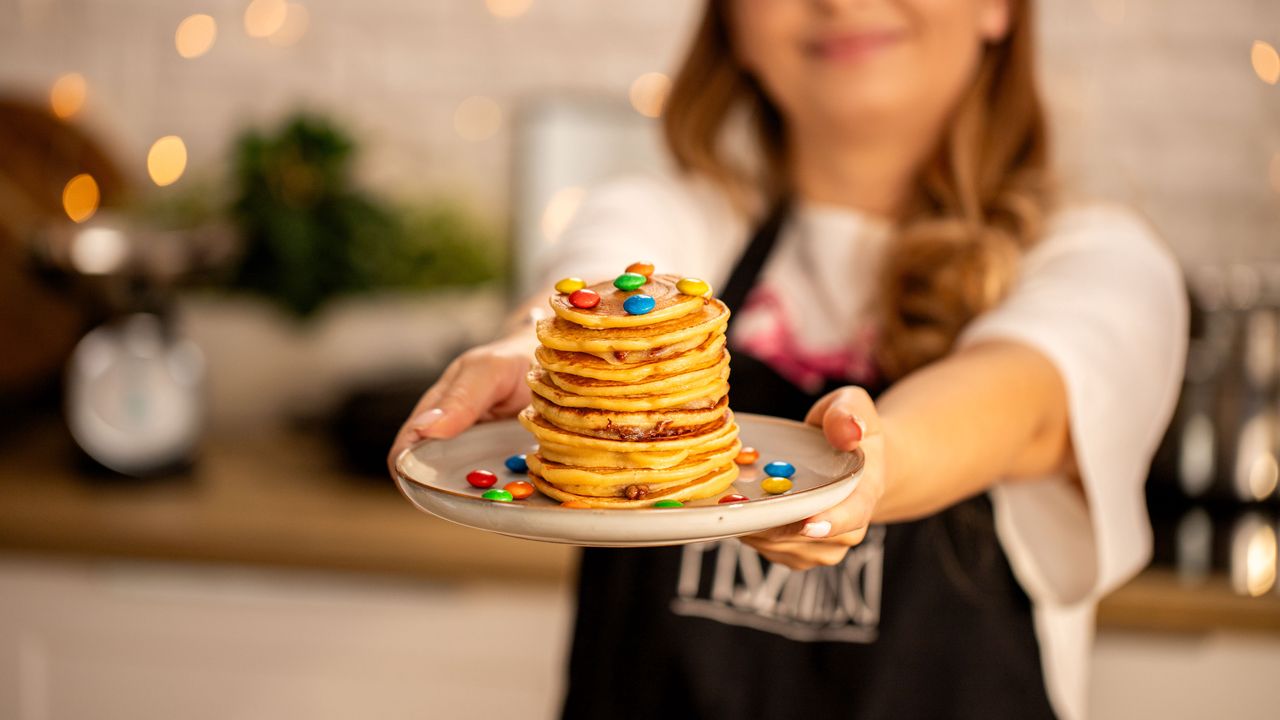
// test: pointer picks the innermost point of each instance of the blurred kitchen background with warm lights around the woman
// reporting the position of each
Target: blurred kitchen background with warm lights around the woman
(237, 239)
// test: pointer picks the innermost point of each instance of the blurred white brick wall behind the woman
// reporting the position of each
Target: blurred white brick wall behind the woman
(1162, 111)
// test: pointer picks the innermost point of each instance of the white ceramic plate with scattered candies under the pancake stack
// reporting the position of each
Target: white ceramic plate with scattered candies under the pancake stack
(433, 477)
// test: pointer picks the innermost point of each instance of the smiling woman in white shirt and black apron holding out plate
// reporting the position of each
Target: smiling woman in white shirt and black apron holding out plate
(900, 277)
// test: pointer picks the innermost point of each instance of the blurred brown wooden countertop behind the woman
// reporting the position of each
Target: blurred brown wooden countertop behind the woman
(282, 500)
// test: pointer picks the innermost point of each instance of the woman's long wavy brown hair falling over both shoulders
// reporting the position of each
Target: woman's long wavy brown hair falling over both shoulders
(979, 200)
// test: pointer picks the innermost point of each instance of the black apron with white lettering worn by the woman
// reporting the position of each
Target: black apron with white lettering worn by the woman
(925, 619)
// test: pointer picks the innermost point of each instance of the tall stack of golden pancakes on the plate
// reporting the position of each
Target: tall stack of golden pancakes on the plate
(630, 411)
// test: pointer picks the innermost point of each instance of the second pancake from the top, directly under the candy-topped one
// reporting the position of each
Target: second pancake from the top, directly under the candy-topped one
(560, 334)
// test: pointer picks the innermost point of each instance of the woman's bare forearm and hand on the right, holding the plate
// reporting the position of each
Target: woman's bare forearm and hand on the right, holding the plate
(993, 412)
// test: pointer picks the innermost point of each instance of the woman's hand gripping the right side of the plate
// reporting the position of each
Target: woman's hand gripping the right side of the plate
(849, 420)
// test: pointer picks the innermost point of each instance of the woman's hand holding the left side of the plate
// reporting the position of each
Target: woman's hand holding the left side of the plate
(483, 384)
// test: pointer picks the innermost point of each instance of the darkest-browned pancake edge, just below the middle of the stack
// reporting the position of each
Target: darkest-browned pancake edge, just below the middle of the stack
(609, 425)
